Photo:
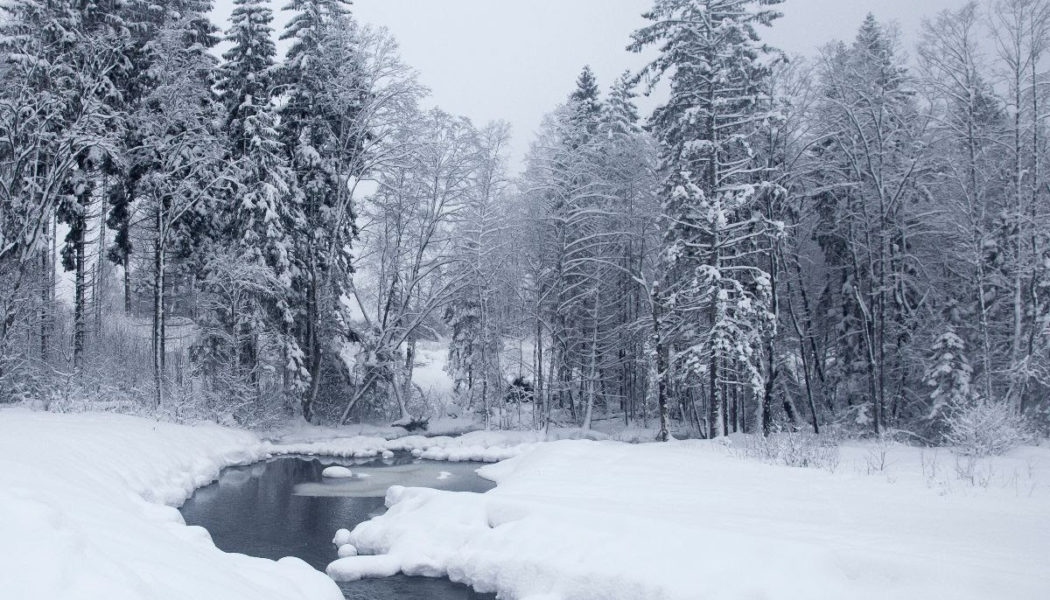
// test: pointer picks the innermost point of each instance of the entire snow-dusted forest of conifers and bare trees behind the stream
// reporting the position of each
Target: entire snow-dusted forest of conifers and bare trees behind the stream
(857, 242)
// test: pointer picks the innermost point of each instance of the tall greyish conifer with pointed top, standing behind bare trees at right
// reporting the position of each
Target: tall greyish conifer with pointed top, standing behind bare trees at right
(871, 164)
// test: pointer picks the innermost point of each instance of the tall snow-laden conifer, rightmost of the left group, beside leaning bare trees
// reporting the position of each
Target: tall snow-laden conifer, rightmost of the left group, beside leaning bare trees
(322, 84)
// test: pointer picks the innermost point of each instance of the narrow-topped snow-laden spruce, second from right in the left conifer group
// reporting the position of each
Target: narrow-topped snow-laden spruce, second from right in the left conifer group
(254, 233)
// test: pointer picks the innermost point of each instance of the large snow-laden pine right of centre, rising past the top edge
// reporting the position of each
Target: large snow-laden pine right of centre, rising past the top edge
(717, 293)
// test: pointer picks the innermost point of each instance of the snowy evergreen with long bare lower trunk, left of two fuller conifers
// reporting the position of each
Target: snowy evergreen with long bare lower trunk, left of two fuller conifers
(183, 163)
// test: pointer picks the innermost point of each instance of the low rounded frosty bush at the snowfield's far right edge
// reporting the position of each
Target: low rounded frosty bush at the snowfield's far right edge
(983, 428)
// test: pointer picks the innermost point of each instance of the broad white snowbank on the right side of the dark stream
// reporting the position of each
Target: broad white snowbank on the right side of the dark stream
(685, 521)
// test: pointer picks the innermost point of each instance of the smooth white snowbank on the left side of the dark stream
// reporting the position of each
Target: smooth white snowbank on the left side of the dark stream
(87, 511)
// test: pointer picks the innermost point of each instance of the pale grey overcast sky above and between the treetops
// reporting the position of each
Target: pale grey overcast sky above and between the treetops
(515, 60)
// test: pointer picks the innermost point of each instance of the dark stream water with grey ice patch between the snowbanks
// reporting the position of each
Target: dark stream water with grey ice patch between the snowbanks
(285, 508)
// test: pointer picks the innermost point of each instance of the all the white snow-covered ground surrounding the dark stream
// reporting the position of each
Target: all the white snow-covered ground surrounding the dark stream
(87, 511)
